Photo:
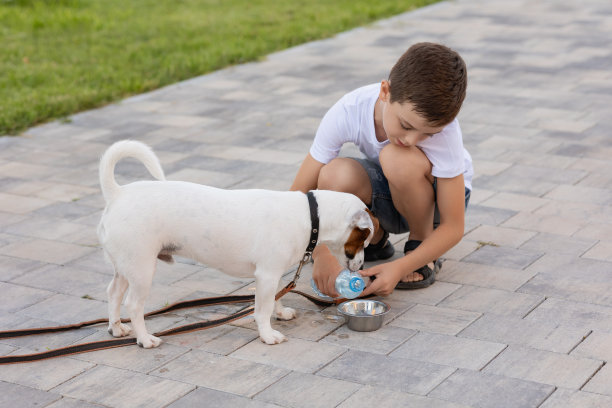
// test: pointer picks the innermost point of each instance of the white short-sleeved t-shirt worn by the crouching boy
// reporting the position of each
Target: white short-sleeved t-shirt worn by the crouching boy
(351, 119)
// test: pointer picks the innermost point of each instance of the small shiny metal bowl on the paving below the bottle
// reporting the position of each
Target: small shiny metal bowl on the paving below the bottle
(363, 314)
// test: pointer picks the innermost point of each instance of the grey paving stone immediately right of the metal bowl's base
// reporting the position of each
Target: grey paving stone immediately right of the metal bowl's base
(435, 319)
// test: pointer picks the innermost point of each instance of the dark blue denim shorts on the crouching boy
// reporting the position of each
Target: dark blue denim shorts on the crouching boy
(382, 205)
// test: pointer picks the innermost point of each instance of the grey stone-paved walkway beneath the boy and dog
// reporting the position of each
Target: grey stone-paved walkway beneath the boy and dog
(521, 315)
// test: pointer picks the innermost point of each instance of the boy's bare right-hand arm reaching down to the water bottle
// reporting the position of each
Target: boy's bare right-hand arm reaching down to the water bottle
(451, 205)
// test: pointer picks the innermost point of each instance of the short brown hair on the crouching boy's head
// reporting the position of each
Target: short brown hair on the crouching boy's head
(433, 78)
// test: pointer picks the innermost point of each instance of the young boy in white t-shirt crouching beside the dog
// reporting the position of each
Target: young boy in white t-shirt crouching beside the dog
(416, 172)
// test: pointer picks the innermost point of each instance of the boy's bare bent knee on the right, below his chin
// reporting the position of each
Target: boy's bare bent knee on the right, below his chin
(403, 164)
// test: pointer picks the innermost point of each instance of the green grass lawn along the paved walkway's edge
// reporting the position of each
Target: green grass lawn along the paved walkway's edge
(61, 56)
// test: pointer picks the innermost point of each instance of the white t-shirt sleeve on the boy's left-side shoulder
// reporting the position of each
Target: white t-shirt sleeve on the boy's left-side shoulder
(334, 130)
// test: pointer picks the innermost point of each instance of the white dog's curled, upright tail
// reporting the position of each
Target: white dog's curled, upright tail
(118, 151)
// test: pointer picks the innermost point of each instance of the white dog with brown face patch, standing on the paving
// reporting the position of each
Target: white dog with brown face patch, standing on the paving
(243, 233)
